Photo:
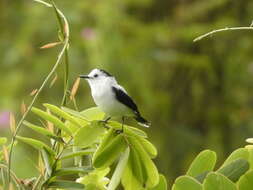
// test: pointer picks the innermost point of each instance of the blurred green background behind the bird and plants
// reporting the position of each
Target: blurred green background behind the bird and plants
(197, 95)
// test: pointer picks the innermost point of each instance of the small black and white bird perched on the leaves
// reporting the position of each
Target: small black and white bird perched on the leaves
(112, 98)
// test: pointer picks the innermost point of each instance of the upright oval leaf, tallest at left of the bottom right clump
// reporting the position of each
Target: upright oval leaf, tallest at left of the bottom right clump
(205, 161)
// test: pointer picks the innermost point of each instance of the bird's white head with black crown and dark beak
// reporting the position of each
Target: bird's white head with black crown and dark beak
(96, 76)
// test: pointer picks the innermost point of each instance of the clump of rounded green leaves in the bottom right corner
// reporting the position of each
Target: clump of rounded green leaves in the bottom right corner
(234, 174)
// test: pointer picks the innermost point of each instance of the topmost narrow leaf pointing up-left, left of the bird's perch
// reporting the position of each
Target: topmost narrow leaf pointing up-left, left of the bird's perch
(63, 114)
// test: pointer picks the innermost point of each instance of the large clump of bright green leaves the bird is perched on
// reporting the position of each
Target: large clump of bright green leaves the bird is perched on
(103, 143)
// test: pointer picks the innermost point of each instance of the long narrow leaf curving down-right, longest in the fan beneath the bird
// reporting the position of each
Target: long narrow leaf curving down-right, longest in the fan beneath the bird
(150, 168)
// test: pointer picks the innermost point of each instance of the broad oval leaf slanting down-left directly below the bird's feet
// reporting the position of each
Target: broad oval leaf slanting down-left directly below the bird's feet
(110, 153)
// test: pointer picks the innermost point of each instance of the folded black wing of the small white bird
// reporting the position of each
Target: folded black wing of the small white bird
(125, 99)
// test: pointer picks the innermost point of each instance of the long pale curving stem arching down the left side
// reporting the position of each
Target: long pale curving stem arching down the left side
(58, 61)
